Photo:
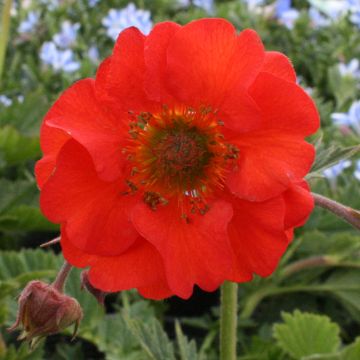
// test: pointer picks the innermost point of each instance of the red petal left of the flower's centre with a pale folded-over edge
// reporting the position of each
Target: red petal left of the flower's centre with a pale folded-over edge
(78, 113)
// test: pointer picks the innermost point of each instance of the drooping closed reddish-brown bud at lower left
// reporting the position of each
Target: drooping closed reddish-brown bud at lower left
(44, 310)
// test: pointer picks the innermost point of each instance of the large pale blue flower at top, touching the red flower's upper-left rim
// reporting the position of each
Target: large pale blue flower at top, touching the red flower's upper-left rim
(118, 20)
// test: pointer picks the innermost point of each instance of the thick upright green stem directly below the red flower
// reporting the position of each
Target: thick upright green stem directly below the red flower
(228, 321)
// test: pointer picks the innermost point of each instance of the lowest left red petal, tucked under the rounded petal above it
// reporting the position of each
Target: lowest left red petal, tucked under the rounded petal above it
(139, 267)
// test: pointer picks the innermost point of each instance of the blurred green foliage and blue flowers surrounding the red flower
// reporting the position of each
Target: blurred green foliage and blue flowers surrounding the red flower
(310, 308)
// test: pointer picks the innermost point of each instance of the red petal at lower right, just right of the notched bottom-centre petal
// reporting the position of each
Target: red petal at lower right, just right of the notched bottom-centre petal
(257, 237)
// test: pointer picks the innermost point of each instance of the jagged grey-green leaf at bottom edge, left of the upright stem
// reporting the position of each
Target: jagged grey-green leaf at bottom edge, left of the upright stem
(153, 339)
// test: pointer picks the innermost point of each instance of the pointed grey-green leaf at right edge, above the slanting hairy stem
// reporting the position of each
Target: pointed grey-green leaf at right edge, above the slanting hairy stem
(330, 156)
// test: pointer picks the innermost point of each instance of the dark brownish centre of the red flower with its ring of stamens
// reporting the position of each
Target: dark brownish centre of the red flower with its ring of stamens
(179, 152)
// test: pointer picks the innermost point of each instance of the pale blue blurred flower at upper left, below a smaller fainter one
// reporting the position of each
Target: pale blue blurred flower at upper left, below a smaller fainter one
(58, 59)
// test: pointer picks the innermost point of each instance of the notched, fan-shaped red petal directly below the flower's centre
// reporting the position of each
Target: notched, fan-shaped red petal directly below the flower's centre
(194, 253)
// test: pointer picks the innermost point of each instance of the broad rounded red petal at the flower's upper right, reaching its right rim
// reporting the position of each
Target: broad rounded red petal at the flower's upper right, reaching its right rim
(284, 106)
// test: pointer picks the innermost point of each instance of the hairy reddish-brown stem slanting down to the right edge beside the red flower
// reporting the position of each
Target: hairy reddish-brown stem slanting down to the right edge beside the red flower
(344, 212)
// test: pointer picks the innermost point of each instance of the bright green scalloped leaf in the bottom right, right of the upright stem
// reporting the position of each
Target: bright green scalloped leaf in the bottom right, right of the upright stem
(304, 334)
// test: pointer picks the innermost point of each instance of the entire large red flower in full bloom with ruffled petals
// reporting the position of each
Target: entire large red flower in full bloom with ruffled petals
(182, 163)
